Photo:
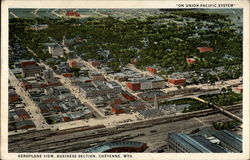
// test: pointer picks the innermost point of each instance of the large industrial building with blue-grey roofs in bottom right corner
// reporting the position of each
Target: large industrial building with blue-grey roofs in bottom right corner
(206, 141)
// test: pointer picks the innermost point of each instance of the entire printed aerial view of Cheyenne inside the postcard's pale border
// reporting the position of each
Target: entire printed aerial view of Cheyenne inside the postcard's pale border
(125, 80)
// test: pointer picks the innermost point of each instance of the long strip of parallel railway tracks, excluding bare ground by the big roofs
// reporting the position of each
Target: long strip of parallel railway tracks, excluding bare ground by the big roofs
(55, 141)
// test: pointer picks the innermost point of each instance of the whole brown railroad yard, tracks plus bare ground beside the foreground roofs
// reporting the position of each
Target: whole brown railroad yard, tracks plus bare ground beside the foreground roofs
(150, 131)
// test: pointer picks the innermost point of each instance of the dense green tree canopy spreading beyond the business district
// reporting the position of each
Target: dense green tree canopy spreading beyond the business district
(168, 44)
